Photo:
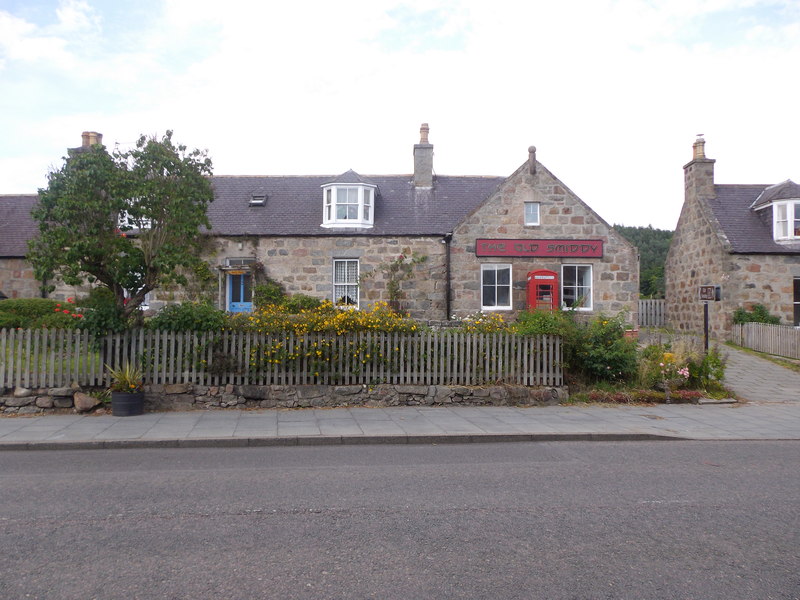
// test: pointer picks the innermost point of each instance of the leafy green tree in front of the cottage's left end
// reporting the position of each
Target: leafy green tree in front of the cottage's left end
(129, 221)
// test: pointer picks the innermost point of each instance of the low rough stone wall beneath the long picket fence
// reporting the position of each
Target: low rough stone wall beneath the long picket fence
(22, 401)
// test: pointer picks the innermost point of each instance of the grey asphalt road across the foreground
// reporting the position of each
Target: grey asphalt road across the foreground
(635, 520)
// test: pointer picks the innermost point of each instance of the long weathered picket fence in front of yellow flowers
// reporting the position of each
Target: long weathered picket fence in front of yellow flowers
(56, 358)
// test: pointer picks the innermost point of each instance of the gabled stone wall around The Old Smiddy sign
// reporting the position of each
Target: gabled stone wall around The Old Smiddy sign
(562, 216)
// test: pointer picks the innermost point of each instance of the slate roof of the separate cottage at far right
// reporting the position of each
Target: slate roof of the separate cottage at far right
(749, 231)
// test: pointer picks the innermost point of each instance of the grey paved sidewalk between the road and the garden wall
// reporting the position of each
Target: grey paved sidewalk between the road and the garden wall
(770, 411)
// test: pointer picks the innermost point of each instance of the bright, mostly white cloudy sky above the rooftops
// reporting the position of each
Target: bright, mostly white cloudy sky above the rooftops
(611, 92)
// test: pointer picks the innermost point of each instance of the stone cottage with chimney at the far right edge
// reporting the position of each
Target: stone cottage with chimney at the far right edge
(744, 239)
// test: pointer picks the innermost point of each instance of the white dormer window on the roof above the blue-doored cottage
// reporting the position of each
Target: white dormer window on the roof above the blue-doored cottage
(348, 202)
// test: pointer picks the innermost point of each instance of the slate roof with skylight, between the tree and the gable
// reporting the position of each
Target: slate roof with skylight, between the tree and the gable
(294, 205)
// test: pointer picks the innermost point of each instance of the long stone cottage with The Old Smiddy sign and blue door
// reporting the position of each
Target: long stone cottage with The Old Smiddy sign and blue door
(469, 243)
